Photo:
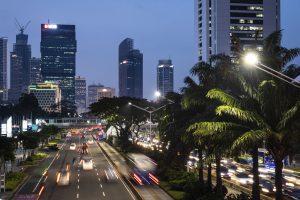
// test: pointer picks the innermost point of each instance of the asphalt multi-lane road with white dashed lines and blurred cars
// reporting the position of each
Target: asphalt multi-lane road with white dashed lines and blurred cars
(84, 184)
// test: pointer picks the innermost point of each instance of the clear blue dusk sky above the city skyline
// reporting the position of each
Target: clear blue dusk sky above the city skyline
(161, 29)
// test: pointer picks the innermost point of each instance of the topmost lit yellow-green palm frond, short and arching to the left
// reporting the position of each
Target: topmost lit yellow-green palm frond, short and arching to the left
(224, 97)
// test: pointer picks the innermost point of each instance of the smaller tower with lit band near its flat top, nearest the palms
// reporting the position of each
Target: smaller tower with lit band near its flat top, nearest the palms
(165, 76)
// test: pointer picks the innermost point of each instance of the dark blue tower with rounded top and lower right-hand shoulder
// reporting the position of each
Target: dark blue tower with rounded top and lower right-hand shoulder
(130, 70)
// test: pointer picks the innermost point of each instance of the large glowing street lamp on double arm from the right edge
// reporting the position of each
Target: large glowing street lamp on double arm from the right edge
(252, 59)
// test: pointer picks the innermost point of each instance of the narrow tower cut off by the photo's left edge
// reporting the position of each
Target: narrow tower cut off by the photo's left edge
(3, 69)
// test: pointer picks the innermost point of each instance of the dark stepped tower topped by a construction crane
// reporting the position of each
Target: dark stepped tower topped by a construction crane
(19, 67)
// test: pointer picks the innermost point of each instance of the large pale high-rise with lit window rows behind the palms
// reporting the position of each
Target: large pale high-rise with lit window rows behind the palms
(218, 22)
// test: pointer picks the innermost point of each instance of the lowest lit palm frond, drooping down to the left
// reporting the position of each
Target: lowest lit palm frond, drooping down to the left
(249, 138)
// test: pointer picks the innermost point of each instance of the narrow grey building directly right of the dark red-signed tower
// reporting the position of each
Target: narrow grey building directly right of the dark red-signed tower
(80, 94)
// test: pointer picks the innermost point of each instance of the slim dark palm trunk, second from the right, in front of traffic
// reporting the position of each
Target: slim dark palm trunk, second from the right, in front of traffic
(255, 186)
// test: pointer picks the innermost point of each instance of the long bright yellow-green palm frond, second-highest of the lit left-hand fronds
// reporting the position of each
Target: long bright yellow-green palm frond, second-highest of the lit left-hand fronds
(243, 115)
